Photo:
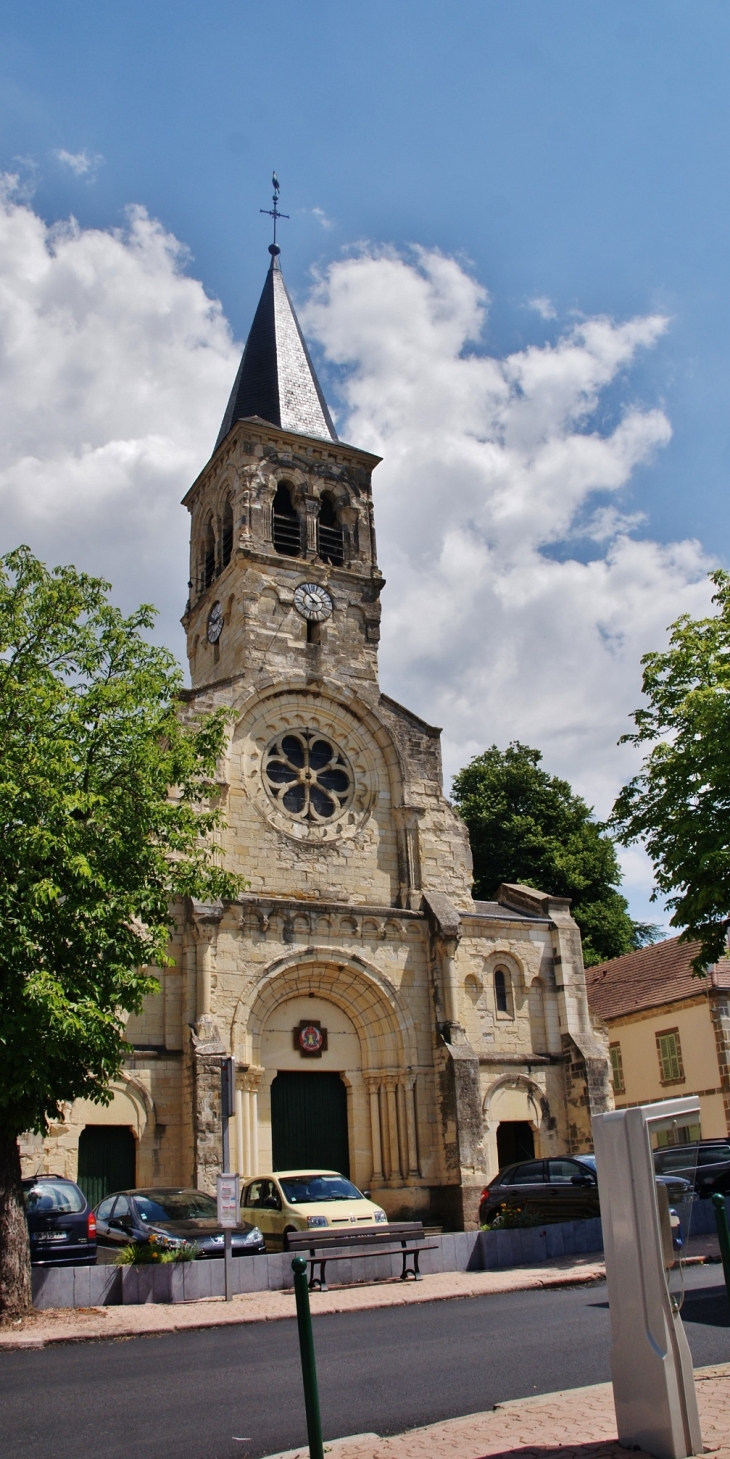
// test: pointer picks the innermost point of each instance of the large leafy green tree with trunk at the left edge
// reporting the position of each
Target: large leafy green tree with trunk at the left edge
(94, 850)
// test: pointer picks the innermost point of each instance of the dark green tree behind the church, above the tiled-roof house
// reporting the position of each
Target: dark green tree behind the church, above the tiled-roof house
(529, 827)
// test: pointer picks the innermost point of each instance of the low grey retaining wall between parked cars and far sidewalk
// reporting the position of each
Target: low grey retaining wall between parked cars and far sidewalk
(456, 1253)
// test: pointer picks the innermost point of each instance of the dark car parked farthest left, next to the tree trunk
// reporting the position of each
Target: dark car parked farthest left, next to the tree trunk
(61, 1223)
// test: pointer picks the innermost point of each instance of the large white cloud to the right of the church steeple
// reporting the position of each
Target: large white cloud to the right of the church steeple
(494, 627)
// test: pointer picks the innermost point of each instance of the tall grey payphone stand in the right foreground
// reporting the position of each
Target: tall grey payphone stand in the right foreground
(645, 1238)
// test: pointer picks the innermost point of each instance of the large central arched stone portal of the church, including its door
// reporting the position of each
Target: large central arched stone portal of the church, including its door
(315, 1018)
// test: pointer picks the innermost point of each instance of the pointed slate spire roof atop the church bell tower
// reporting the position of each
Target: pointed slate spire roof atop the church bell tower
(277, 379)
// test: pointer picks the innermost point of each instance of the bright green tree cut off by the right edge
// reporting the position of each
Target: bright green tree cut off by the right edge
(680, 803)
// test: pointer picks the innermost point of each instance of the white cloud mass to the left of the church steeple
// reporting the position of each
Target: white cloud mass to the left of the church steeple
(115, 373)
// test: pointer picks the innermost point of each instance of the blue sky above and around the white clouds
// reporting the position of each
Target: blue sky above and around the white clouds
(563, 152)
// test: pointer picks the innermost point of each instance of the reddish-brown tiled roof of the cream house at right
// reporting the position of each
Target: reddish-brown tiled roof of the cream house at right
(648, 978)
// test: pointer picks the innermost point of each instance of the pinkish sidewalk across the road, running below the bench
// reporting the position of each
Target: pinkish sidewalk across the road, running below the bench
(91, 1324)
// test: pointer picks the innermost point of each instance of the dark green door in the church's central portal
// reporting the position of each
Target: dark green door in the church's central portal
(310, 1123)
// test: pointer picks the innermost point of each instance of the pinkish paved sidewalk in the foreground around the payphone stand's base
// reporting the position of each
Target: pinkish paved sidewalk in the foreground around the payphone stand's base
(576, 1425)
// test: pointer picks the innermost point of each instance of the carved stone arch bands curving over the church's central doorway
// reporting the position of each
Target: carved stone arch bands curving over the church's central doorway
(363, 991)
